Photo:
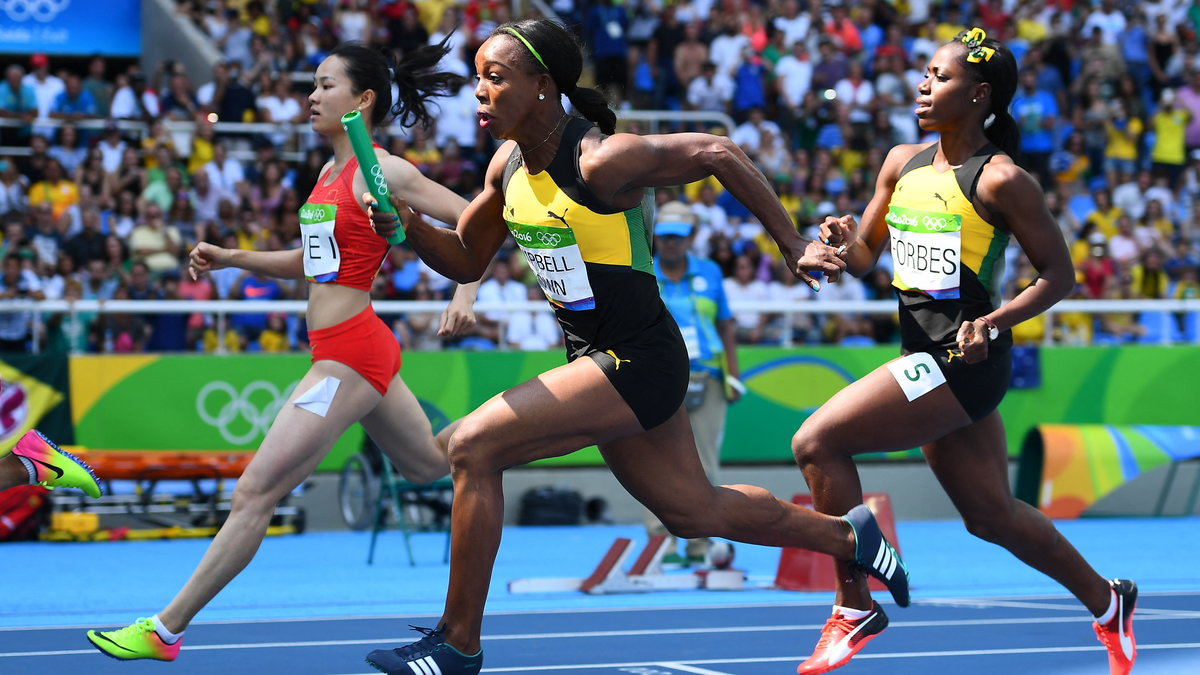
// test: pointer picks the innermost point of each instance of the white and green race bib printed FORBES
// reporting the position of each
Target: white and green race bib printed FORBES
(927, 250)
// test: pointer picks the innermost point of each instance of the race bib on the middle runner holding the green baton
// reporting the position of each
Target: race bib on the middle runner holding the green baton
(556, 260)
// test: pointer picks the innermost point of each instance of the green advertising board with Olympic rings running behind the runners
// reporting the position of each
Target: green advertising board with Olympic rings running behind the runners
(199, 403)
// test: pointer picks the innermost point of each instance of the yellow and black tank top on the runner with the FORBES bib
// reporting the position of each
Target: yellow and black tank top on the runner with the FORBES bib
(949, 261)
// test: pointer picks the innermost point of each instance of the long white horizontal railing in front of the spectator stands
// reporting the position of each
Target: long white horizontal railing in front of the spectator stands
(788, 310)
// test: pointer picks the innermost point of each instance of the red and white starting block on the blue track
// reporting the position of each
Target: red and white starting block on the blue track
(645, 576)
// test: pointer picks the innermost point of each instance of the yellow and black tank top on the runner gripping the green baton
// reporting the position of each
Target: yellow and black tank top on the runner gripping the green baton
(595, 265)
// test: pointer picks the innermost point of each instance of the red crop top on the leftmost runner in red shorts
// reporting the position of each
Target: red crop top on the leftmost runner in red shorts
(339, 244)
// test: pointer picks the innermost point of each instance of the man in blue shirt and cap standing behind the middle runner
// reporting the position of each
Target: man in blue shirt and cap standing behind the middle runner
(694, 294)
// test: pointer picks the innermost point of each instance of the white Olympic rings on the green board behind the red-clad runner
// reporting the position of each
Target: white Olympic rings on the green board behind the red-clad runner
(241, 417)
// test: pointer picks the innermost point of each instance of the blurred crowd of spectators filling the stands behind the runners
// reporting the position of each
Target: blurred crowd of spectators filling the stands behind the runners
(95, 207)
